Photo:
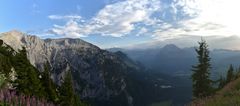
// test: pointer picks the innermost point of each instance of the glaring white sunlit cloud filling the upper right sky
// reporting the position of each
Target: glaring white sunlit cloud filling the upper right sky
(205, 18)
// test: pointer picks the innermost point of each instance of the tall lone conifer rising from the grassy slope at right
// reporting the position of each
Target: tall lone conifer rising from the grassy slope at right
(201, 72)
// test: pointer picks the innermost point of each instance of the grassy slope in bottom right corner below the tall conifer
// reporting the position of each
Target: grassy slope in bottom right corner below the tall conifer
(228, 96)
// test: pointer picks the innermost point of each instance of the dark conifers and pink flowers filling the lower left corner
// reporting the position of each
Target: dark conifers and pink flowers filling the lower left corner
(22, 84)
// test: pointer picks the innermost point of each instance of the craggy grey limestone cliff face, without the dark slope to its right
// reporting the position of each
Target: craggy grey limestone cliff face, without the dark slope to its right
(97, 74)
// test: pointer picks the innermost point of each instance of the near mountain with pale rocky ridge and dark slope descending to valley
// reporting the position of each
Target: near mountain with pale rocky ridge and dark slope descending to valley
(100, 77)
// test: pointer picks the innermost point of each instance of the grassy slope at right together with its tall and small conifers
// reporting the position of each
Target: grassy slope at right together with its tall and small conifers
(205, 91)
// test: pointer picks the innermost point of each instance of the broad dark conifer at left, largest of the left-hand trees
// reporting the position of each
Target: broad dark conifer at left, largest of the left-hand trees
(28, 81)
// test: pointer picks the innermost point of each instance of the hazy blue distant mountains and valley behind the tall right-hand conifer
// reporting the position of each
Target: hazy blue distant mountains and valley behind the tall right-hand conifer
(173, 60)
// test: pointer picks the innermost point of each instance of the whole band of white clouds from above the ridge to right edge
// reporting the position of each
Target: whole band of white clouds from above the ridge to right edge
(159, 18)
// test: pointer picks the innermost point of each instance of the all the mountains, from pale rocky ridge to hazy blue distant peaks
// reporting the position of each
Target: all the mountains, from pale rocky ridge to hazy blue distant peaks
(120, 76)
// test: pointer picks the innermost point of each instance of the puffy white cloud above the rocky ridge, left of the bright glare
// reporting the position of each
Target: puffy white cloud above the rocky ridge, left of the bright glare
(116, 19)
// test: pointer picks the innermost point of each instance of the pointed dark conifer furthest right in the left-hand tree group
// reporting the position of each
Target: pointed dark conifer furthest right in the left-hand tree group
(67, 91)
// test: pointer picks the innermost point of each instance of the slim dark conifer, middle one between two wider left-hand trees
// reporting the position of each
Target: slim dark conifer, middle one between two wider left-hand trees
(50, 87)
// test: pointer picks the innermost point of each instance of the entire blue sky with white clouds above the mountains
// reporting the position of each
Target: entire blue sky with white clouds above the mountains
(123, 23)
